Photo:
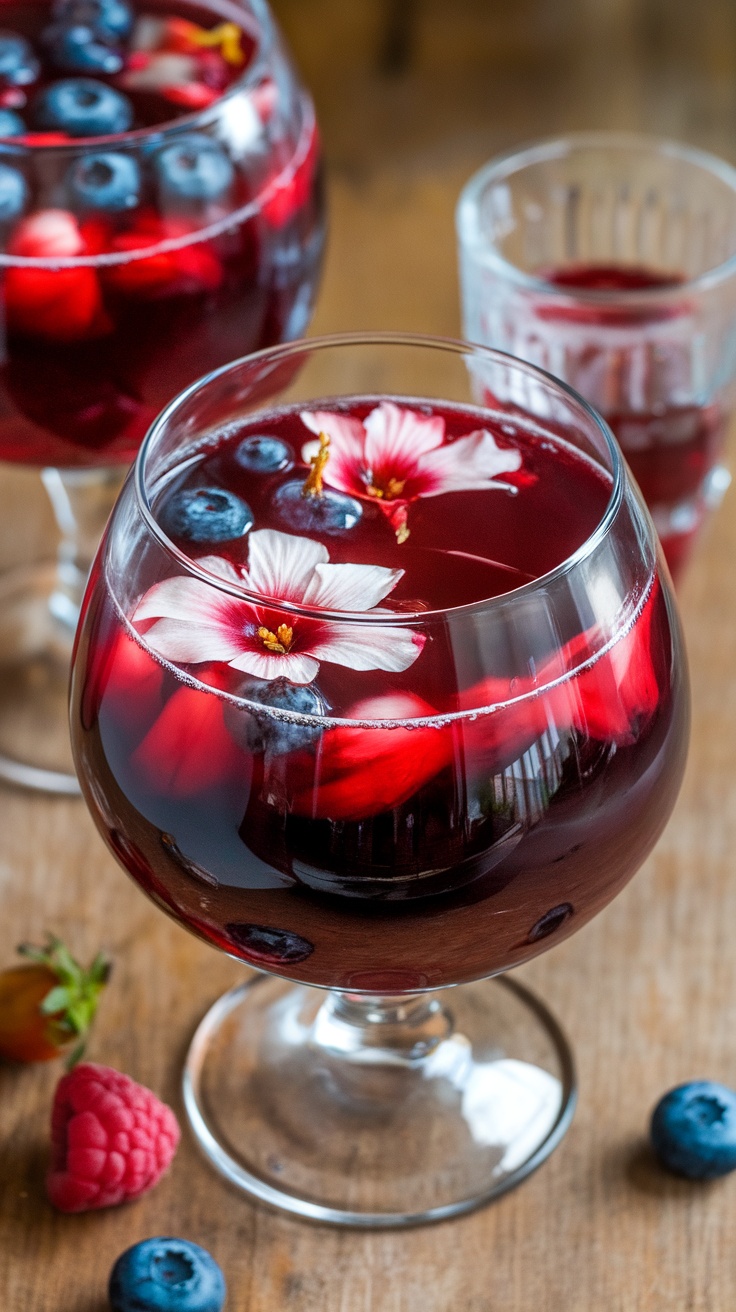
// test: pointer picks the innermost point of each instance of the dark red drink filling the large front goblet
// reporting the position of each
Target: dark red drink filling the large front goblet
(377, 856)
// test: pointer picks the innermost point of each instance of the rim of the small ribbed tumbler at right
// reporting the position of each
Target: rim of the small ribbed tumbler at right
(557, 148)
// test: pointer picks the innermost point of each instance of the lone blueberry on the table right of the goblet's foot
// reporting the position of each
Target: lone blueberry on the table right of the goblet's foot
(695, 1130)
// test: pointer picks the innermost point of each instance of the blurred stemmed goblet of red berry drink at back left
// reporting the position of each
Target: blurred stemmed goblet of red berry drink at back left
(120, 314)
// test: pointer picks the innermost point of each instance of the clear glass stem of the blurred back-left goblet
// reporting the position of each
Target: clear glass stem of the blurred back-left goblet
(82, 502)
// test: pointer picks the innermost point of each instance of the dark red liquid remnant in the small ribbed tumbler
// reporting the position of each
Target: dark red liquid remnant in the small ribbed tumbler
(671, 448)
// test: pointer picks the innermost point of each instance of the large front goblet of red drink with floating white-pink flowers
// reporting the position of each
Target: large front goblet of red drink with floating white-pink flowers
(406, 710)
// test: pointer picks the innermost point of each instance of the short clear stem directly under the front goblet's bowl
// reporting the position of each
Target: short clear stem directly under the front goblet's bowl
(367, 1028)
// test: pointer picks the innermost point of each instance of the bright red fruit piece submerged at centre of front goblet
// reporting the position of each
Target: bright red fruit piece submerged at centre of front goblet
(363, 772)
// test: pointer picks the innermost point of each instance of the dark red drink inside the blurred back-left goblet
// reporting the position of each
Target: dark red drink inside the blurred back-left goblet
(94, 352)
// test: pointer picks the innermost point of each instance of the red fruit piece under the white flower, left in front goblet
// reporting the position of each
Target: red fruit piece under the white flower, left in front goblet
(188, 748)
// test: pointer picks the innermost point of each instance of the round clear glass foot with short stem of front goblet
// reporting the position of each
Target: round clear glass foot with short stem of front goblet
(378, 1112)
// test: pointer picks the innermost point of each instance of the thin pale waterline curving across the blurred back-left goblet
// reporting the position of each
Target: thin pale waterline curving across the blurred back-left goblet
(108, 259)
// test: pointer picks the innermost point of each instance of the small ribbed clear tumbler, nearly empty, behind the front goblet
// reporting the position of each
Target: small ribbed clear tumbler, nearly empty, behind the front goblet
(611, 260)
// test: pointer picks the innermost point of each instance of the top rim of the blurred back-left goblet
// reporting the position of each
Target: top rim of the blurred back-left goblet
(263, 33)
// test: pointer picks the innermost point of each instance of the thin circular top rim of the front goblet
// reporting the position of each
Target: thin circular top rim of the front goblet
(310, 346)
